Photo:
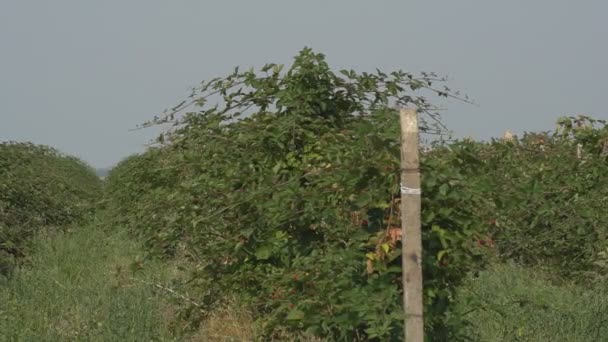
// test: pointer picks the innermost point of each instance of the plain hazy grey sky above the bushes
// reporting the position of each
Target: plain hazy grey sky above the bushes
(77, 75)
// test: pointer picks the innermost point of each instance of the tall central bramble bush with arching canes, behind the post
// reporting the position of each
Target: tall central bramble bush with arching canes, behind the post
(288, 207)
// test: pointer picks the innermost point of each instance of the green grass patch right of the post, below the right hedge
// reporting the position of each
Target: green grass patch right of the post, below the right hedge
(510, 303)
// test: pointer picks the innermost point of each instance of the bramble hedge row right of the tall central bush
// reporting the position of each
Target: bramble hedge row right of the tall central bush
(549, 196)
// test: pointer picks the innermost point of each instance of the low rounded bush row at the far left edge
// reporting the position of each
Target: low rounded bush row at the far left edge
(39, 187)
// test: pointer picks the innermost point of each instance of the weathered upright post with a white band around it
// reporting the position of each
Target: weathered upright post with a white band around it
(410, 225)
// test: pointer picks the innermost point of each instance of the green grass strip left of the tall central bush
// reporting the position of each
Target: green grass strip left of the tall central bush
(78, 286)
